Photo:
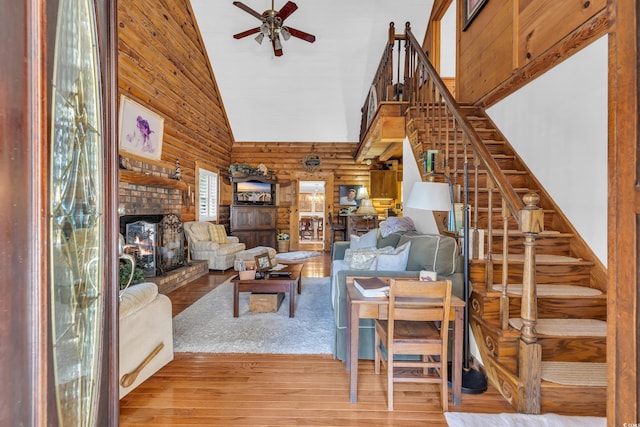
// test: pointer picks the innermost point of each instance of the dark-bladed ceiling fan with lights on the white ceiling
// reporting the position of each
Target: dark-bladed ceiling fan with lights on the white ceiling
(273, 26)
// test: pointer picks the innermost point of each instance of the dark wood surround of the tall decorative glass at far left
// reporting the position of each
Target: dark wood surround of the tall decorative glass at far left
(25, 334)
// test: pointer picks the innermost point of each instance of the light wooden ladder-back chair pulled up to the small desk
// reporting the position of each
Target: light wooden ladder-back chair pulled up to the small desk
(417, 325)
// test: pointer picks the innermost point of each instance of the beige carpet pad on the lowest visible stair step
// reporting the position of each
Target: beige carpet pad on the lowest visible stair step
(591, 374)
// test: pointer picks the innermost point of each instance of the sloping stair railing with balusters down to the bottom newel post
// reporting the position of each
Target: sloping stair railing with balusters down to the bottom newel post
(431, 102)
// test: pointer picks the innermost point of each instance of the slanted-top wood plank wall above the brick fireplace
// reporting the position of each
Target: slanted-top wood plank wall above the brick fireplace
(163, 65)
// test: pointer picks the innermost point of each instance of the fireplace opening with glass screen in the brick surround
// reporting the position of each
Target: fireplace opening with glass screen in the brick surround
(156, 242)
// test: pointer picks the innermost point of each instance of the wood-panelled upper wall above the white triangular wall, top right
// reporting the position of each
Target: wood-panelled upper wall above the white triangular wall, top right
(510, 43)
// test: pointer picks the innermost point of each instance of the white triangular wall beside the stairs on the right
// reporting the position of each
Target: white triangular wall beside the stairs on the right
(558, 125)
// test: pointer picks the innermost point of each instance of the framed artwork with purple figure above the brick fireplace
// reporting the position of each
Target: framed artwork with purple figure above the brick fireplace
(140, 130)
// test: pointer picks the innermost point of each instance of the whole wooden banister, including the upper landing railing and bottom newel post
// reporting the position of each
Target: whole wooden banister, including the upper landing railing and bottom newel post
(440, 123)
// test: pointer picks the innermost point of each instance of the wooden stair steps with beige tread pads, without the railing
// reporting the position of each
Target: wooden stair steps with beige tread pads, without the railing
(570, 281)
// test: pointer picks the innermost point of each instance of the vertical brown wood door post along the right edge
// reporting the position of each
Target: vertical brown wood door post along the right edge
(624, 211)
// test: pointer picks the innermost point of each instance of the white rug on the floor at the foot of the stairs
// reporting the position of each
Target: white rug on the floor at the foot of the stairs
(463, 419)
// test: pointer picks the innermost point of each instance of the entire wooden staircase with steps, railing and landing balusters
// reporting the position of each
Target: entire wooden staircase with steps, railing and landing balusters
(537, 304)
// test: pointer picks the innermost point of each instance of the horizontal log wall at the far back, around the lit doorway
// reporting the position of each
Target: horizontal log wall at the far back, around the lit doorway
(285, 159)
